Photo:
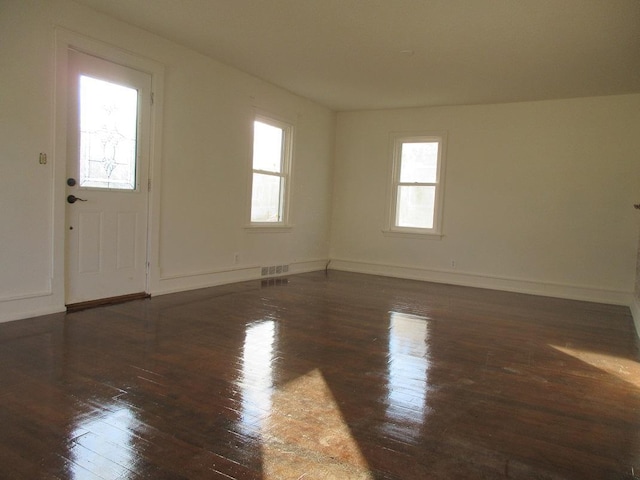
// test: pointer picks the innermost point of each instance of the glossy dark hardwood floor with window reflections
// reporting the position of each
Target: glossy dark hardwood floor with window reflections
(323, 376)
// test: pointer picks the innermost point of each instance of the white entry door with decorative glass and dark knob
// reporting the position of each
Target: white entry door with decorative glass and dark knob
(107, 179)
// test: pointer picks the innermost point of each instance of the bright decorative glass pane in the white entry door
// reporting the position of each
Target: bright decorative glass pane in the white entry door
(108, 130)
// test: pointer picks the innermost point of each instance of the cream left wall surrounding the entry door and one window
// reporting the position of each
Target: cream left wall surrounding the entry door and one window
(200, 174)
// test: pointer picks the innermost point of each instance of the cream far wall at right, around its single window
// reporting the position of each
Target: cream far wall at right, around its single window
(538, 197)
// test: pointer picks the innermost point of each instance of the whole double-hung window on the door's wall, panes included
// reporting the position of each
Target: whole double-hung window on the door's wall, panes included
(272, 148)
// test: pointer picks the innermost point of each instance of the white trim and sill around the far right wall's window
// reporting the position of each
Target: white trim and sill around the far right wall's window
(396, 141)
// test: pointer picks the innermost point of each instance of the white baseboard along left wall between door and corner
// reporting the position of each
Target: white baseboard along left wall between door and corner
(194, 280)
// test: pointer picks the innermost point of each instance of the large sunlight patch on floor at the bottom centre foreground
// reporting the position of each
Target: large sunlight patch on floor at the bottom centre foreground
(306, 437)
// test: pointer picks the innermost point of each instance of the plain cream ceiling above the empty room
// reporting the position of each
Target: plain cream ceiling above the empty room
(371, 54)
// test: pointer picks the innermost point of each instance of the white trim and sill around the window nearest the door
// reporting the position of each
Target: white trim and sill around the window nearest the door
(284, 225)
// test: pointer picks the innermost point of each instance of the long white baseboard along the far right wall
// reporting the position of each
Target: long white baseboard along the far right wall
(484, 281)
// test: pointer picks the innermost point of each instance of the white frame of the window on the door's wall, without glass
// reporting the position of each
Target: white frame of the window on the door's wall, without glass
(284, 174)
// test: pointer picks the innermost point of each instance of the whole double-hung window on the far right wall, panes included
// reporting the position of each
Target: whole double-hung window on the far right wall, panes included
(417, 184)
